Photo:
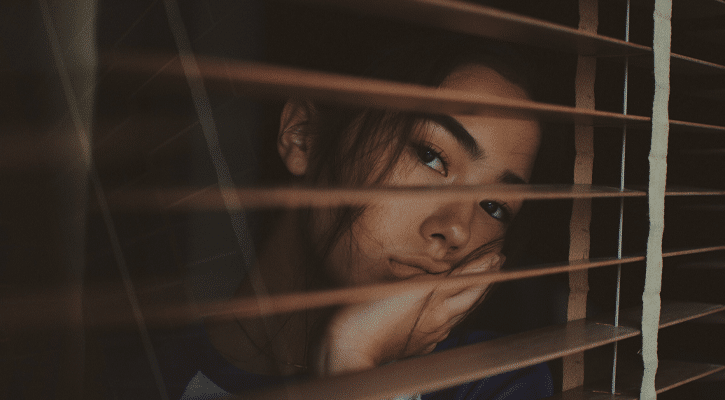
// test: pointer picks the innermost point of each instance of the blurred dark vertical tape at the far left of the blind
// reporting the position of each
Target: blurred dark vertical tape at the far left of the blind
(75, 172)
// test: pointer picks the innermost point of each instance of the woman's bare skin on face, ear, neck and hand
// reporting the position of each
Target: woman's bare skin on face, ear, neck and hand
(393, 241)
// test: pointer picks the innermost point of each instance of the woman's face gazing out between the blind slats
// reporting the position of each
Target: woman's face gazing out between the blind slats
(395, 240)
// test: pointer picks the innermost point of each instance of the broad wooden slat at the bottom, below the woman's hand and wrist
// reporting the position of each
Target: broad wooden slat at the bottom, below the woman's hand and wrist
(456, 366)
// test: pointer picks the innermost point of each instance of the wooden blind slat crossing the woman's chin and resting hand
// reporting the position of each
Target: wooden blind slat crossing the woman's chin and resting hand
(164, 305)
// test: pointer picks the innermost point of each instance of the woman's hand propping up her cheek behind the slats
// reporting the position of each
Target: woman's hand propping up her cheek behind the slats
(363, 336)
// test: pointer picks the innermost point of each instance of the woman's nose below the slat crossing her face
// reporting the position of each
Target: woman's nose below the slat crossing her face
(448, 228)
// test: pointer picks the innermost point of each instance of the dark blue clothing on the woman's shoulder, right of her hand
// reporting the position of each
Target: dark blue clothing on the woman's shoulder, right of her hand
(532, 382)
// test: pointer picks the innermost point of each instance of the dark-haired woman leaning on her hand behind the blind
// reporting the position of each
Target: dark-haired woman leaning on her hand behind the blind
(326, 145)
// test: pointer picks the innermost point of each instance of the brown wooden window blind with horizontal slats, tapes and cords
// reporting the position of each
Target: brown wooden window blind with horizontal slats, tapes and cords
(158, 100)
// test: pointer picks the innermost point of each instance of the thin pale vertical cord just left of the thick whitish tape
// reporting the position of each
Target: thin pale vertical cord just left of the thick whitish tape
(621, 202)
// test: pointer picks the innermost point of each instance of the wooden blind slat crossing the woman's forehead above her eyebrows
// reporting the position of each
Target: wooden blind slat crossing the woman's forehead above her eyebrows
(258, 79)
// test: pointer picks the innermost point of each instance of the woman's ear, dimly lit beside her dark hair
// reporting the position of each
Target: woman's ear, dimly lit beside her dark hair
(293, 139)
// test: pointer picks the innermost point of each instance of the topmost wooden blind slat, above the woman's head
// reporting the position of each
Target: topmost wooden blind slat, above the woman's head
(458, 16)
